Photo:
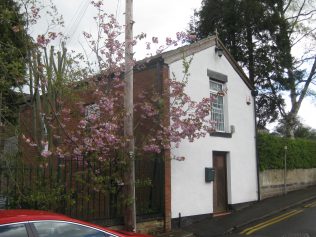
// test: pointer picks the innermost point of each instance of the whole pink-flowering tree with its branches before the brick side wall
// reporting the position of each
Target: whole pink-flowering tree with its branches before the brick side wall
(89, 127)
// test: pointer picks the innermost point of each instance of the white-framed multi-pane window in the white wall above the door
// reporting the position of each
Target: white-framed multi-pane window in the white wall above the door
(217, 109)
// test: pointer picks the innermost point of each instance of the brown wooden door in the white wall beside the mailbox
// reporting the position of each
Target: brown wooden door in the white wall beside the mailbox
(220, 182)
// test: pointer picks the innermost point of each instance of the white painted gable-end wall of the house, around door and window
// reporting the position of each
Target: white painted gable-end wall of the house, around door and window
(190, 194)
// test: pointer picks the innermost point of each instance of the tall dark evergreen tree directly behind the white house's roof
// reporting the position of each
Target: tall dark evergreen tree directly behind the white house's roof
(246, 28)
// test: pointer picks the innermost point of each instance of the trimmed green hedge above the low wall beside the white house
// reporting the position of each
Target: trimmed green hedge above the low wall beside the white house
(300, 153)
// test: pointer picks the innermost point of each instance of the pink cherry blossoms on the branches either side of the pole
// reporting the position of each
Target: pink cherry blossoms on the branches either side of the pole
(99, 135)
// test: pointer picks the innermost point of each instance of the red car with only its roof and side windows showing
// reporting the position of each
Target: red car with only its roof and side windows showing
(31, 223)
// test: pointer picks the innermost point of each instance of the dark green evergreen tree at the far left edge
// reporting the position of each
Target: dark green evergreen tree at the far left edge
(13, 45)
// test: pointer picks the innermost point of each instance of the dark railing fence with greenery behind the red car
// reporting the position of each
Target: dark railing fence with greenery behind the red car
(81, 189)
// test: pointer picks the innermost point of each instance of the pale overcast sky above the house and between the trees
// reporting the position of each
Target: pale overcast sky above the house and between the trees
(161, 19)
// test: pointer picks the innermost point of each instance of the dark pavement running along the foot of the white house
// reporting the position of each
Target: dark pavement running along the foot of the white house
(223, 225)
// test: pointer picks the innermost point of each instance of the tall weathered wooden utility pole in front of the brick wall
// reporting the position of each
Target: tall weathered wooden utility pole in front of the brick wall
(130, 203)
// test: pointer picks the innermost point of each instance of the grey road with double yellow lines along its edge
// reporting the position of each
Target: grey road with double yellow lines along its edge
(298, 222)
